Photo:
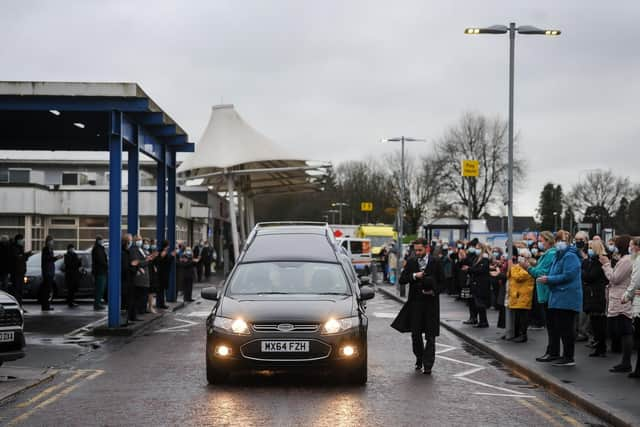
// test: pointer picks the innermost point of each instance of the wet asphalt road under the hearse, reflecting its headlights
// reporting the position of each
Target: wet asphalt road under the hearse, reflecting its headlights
(158, 378)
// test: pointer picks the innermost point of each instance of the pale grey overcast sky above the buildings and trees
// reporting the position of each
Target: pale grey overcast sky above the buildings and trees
(331, 78)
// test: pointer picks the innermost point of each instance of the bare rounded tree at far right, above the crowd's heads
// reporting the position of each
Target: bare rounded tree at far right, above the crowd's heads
(601, 189)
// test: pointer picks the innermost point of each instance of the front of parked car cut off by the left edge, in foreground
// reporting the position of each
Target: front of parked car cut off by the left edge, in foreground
(11, 329)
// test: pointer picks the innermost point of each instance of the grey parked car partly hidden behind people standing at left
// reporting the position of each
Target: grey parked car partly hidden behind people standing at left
(33, 277)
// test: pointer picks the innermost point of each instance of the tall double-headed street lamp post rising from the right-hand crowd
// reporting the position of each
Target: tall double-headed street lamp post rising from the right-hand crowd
(511, 29)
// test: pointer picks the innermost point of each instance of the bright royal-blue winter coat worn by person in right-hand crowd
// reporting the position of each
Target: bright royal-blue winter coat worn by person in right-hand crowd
(565, 281)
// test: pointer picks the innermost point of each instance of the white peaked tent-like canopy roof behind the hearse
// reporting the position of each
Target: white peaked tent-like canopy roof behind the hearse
(231, 146)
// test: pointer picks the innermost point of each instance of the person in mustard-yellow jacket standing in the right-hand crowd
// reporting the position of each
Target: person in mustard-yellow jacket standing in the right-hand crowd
(521, 286)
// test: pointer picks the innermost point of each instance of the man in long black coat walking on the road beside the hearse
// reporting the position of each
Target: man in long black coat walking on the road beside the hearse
(421, 313)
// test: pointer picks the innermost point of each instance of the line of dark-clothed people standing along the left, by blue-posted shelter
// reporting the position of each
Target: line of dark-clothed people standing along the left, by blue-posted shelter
(145, 271)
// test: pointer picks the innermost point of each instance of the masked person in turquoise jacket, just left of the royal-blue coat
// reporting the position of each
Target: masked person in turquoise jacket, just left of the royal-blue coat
(546, 245)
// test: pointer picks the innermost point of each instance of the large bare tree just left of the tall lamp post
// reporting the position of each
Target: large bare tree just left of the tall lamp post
(475, 137)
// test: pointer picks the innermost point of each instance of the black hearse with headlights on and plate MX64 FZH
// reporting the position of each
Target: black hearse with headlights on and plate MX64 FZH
(291, 302)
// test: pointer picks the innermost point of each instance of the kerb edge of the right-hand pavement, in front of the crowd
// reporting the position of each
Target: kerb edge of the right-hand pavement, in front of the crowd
(575, 397)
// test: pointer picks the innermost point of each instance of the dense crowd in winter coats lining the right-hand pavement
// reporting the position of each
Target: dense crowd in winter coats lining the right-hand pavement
(579, 289)
